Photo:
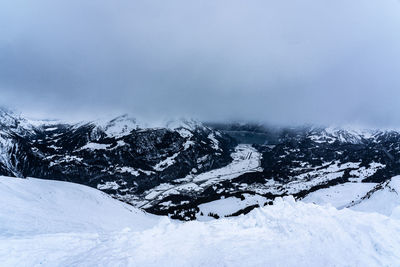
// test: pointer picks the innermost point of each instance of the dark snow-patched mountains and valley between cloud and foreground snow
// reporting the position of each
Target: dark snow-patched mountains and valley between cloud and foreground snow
(185, 168)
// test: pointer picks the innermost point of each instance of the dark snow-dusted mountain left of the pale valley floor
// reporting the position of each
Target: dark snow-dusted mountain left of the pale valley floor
(121, 156)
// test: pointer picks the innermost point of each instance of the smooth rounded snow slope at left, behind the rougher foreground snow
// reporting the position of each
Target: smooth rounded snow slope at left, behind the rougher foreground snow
(34, 206)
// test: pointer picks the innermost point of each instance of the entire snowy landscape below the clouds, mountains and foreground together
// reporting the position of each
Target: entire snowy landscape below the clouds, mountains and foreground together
(346, 183)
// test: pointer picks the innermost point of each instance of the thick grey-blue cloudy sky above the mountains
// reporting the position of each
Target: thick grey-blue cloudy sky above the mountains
(282, 61)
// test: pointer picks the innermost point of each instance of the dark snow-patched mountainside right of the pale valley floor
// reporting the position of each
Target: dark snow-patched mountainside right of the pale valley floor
(300, 161)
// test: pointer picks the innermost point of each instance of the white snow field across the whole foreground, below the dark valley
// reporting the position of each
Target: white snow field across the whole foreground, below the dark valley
(49, 223)
